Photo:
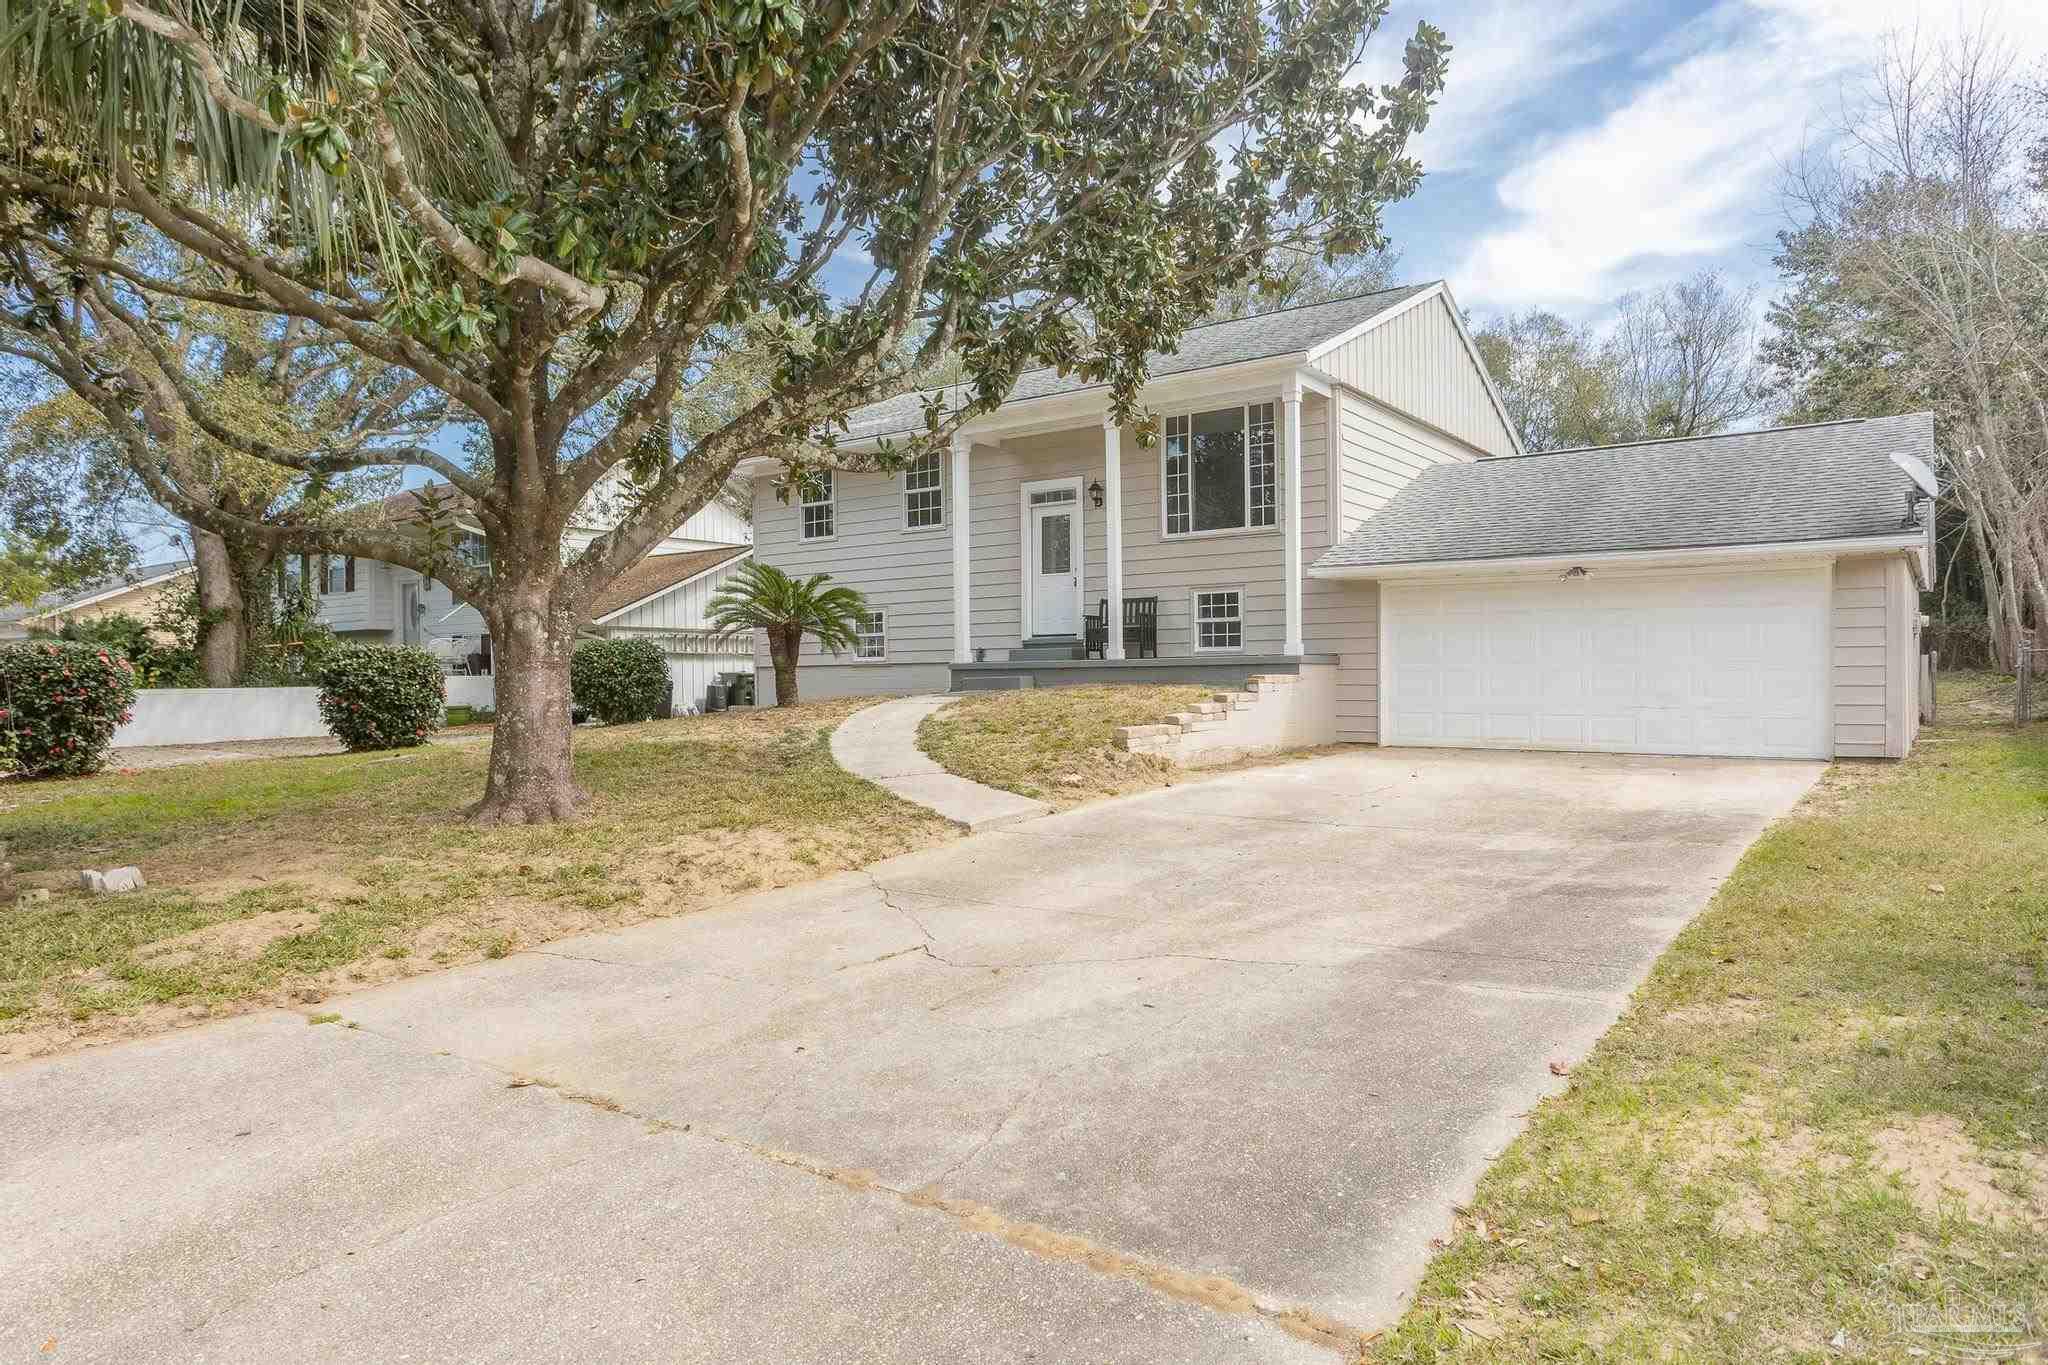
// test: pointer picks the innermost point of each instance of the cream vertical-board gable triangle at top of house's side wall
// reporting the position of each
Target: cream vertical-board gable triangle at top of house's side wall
(1418, 363)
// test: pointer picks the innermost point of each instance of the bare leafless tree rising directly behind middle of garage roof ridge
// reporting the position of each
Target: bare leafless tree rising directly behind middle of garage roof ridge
(1687, 357)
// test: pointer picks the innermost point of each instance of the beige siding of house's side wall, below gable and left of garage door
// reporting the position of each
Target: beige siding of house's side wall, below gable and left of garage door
(1383, 451)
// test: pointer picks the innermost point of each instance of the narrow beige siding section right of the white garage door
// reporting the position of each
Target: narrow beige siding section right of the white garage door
(1875, 658)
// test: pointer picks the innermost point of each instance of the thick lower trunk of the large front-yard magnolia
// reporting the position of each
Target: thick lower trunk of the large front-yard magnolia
(531, 781)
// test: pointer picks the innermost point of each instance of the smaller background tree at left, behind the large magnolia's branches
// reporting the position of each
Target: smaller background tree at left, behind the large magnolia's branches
(265, 382)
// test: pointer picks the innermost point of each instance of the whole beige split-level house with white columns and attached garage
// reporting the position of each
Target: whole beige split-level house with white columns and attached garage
(1336, 490)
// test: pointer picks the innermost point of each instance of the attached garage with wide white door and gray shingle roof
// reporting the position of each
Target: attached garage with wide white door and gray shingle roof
(1742, 597)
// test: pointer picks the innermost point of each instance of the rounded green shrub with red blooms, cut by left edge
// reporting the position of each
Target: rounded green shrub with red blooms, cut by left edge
(62, 703)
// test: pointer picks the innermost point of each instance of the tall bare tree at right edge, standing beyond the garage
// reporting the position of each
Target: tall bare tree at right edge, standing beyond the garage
(1924, 263)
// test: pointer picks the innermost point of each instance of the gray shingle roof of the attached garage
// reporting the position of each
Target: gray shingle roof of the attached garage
(1826, 482)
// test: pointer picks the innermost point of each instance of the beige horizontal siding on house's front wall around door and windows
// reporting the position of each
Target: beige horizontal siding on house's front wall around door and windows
(910, 574)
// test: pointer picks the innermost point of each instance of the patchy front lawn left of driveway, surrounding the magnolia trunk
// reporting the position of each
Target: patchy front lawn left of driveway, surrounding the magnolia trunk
(284, 881)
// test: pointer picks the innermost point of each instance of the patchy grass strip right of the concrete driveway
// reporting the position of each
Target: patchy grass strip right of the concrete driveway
(1824, 1114)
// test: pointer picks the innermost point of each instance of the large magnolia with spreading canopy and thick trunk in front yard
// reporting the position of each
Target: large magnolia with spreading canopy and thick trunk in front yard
(560, 216)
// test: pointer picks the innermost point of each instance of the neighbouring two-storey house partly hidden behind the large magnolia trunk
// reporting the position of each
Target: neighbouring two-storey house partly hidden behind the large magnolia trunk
(660, 599)
